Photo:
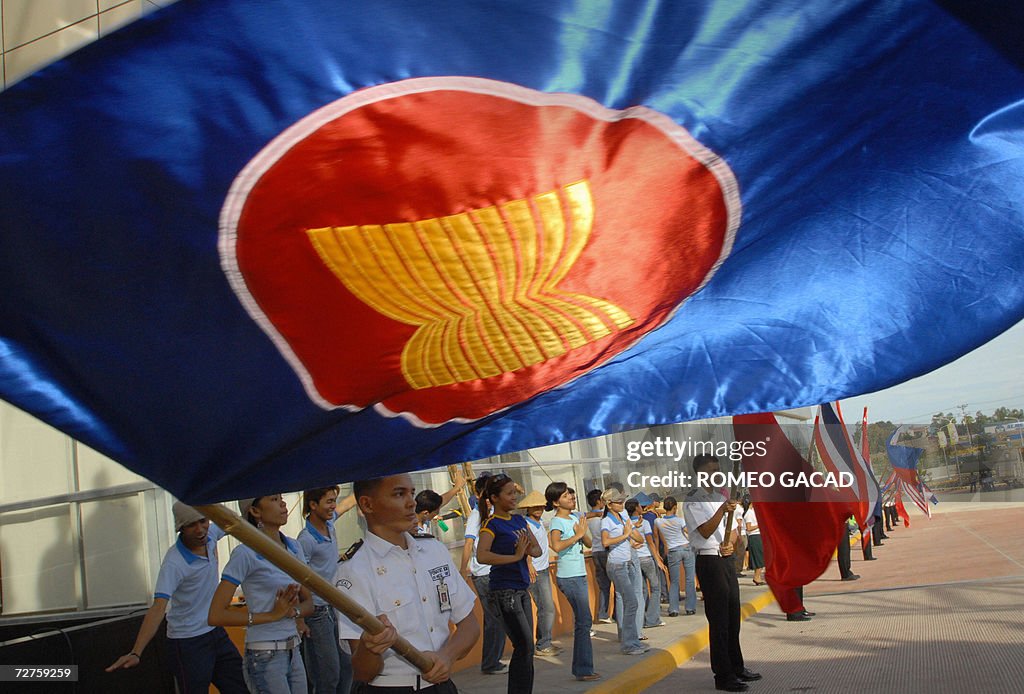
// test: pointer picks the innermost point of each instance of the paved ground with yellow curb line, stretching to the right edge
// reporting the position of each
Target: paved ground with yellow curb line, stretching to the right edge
(938, 612)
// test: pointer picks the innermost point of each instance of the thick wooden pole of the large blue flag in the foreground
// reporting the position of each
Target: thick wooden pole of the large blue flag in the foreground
(245, 533)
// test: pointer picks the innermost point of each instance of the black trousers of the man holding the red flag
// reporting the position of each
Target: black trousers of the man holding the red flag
(721, 592)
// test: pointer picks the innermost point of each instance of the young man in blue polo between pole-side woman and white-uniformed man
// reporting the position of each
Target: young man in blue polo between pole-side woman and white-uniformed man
(328, 669)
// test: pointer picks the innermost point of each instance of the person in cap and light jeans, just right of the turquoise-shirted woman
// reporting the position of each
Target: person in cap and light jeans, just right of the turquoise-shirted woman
(619, 536)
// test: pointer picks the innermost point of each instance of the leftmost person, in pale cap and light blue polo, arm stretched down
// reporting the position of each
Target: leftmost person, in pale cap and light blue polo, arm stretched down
(199, 655)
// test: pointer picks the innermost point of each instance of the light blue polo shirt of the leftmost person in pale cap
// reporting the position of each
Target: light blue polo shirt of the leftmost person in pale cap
(189, 582)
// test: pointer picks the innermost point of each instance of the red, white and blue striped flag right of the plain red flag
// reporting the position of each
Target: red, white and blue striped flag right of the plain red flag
(840, 455)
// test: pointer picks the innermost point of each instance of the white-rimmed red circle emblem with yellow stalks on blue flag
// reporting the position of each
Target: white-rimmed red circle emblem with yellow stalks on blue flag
(445, 248)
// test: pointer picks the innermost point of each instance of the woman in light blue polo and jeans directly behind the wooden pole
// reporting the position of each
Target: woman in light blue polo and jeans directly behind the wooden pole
(276, 606)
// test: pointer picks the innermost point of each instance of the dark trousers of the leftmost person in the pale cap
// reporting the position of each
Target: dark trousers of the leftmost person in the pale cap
(198, 662)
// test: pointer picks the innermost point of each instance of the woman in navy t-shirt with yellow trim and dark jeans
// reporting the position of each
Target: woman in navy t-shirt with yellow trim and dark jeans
(505, 541)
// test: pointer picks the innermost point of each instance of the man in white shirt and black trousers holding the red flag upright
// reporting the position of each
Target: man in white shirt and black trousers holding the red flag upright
(705, 512)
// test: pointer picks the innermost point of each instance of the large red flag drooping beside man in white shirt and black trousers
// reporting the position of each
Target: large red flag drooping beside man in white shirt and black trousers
(800, 530)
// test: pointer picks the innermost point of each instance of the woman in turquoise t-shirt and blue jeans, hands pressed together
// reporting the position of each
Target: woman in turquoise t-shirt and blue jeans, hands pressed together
(569, 536)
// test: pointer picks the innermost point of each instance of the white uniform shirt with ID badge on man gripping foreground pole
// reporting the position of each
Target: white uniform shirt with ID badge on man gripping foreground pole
(407, 586)
